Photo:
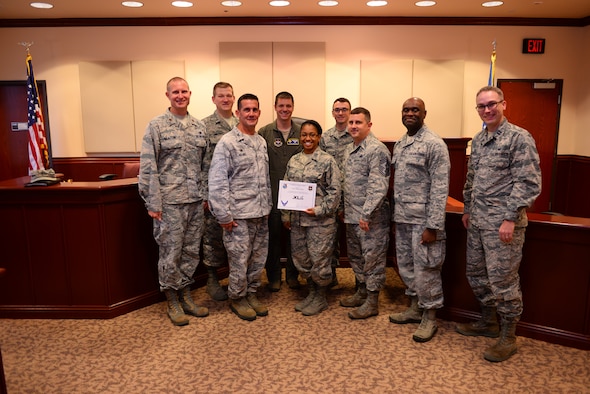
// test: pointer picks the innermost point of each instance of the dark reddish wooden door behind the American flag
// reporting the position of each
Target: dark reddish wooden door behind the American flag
(14, 153)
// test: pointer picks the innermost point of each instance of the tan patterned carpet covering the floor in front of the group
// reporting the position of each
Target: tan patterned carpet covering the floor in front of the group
(285, 352)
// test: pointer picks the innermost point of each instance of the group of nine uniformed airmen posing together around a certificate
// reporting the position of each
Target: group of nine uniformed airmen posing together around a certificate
(215, 183)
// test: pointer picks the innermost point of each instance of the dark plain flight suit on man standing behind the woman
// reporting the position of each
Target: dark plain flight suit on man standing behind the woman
(279, 153)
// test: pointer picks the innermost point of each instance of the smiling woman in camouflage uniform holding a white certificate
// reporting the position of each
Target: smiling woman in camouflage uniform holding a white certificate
(313, 227)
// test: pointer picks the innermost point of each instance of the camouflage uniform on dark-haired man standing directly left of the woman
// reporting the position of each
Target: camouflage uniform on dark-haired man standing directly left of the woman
(239, 190)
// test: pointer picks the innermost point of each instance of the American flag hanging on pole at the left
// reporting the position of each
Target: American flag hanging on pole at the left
(38, 150)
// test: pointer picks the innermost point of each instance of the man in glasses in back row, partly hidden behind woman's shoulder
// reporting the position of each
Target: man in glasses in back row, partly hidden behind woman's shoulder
(333, 141)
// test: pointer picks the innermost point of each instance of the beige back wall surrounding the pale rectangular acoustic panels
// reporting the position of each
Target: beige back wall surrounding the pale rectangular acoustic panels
(57, 52)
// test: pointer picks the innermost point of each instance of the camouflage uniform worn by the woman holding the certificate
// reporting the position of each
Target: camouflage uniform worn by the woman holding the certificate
(312, 236)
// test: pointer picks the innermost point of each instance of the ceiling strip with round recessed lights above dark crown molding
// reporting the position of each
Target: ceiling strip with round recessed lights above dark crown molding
(20, 9)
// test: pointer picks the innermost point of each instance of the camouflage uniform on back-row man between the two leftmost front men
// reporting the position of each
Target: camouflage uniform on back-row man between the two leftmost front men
(214, 254)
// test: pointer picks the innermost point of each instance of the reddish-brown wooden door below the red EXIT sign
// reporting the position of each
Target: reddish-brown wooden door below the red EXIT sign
(535, 106)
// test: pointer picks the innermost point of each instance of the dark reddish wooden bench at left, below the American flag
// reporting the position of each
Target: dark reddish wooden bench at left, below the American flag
(79, 250)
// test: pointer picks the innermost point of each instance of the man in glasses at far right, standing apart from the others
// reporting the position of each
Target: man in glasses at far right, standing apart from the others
(503, 179)
